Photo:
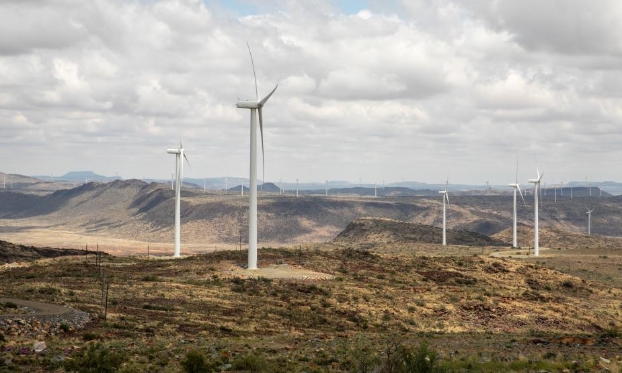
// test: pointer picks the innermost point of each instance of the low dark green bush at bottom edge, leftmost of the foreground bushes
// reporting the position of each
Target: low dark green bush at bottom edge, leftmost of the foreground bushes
(97, 359)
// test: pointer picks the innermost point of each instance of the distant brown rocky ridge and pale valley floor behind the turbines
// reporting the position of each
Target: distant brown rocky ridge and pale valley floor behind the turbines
(137, 210)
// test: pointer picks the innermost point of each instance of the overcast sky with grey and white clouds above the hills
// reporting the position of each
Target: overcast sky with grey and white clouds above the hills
(372, 90)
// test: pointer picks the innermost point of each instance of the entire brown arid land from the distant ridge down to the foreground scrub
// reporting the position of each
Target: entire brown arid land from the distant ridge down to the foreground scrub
(370, 294)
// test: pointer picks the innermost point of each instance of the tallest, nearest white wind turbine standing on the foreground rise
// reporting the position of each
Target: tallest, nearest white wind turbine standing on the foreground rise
(255, 108)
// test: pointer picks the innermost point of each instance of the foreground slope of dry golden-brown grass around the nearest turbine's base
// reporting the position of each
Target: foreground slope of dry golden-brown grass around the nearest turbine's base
(468, 306)
